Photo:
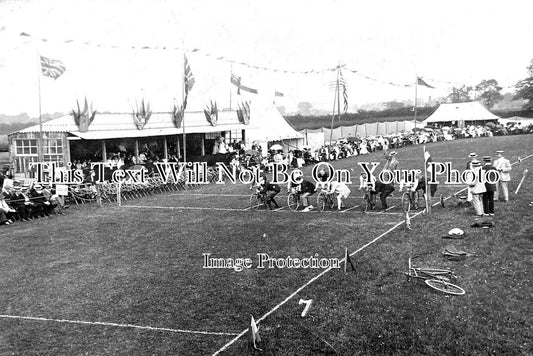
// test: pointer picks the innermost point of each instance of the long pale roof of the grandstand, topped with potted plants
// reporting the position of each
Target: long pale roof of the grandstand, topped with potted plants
(118, 125)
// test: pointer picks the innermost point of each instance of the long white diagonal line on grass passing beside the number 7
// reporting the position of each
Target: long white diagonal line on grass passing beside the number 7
(242, 333)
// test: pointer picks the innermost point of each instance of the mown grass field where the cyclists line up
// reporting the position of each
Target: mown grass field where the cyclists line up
(141, 264)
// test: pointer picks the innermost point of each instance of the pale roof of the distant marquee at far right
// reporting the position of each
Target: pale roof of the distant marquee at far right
(472, 111)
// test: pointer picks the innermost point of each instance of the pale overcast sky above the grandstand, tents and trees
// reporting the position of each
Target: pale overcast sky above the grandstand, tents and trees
(392, 41)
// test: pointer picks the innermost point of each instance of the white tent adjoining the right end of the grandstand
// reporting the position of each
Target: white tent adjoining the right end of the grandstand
(268, 125)
